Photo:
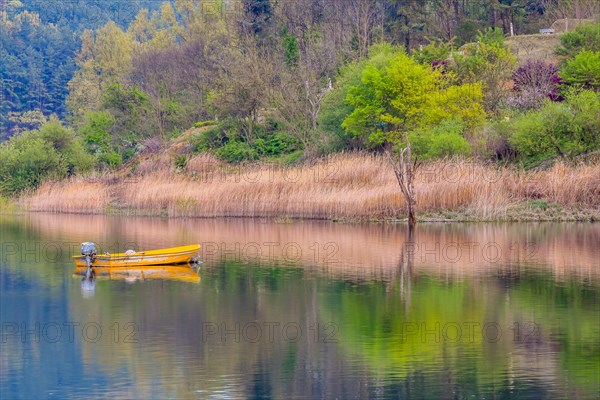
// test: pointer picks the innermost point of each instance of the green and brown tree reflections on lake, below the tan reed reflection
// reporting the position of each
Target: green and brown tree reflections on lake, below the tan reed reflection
(370, 317)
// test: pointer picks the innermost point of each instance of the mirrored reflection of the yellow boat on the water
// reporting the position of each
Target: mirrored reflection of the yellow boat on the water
(170, 272)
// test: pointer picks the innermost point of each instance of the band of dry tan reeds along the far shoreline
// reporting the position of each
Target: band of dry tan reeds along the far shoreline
(344, 186)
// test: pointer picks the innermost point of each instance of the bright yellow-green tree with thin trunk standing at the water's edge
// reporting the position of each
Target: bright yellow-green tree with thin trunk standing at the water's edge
(398, 96)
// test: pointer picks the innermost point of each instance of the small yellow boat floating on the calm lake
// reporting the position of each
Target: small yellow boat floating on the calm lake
(174, 255)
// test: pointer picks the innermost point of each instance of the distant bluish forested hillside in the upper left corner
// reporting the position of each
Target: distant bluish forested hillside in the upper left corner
(39, 44)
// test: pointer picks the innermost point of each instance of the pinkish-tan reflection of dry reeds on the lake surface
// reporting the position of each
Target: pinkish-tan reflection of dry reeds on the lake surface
(352, 251)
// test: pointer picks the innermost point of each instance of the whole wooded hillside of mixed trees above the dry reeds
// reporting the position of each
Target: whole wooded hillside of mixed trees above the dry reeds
(91, 84)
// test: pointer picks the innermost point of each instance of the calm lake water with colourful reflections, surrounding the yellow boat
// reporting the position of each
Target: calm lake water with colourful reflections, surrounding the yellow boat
(302, 309)
